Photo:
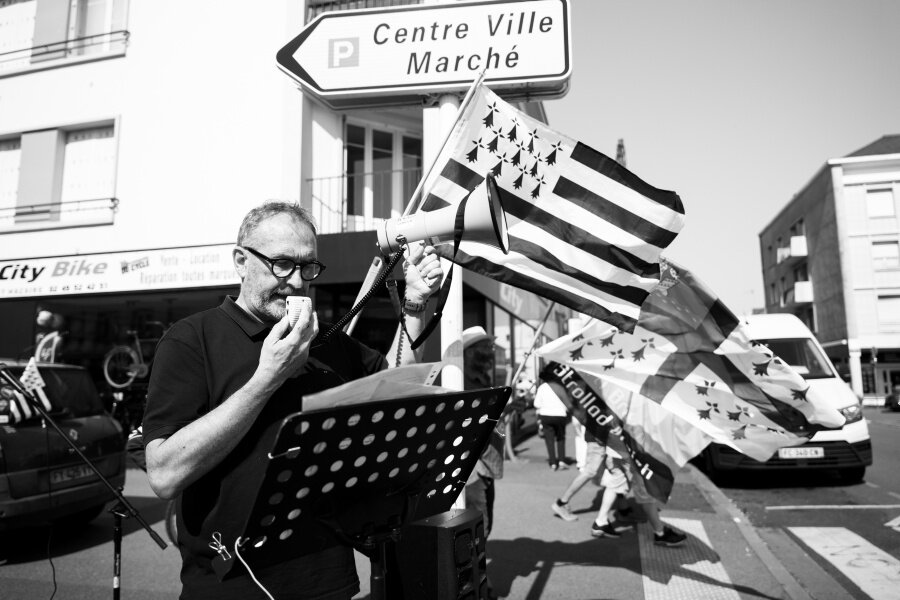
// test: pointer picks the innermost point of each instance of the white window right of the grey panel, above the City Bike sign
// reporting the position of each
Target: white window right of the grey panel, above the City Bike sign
(89, 165)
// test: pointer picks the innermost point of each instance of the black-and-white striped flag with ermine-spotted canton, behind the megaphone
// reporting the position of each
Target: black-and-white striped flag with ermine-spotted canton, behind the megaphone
(584, 231)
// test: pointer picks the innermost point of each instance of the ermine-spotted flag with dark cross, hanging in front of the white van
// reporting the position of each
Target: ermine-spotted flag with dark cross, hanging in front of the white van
(692, 356)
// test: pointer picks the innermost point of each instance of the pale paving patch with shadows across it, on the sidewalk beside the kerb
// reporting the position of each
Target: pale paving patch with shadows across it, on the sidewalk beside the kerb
(683, 573)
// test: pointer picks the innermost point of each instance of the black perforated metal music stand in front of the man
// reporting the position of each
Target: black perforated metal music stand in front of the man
(368, 469)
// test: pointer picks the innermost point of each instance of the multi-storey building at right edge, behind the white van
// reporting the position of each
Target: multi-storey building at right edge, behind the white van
(832, 257)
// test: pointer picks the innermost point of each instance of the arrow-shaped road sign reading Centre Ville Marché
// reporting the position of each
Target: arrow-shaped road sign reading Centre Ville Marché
(392, 56)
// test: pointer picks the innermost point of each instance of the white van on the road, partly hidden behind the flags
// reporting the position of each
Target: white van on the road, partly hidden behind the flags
(848, 450)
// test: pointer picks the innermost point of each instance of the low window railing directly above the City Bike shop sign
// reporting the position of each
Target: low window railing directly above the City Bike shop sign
(59, 215)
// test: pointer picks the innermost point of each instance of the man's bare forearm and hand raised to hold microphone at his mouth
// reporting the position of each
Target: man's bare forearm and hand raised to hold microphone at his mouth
(176, 461)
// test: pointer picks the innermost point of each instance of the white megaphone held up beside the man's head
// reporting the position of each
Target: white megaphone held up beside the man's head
(483, 221)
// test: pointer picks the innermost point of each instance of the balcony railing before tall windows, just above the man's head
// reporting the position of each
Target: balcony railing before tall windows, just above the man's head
(356, 201)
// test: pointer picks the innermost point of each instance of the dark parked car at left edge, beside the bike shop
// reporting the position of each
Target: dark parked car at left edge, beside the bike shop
(41, 478)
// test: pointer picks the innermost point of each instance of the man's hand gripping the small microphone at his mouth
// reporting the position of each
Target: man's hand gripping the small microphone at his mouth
(285, 350)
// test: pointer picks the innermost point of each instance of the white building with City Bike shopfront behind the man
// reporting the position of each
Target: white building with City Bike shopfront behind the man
(134, 135)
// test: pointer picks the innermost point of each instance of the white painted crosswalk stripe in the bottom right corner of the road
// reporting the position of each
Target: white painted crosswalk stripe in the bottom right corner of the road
(872, 569)
